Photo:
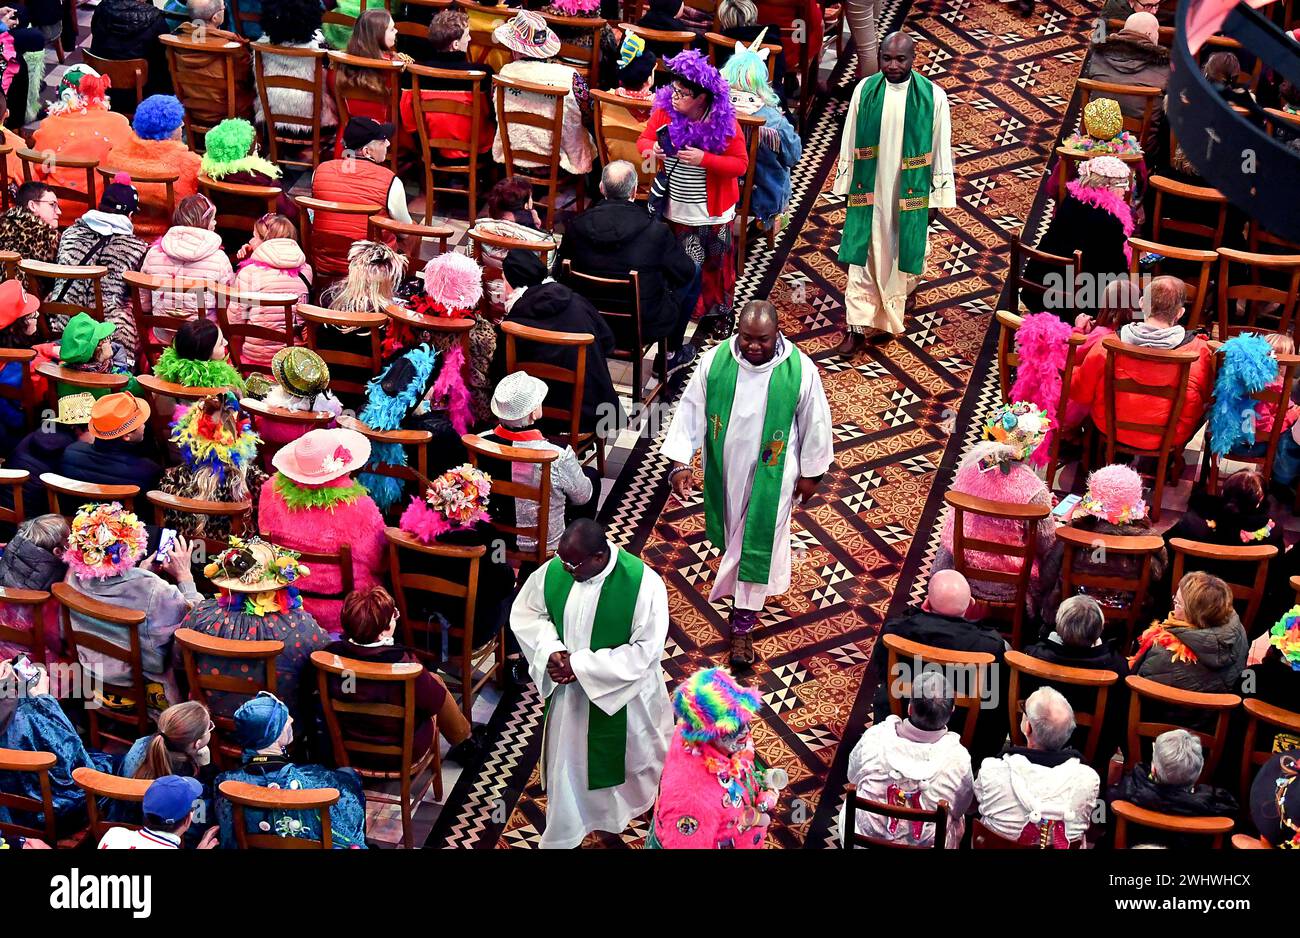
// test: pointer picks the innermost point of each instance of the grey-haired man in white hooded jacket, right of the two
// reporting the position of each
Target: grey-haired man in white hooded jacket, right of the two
(1039, 793)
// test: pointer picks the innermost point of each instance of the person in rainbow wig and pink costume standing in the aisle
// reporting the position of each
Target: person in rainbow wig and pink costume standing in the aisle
(712, 796)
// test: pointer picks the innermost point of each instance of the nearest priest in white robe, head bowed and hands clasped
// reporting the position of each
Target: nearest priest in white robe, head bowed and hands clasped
(592, 623)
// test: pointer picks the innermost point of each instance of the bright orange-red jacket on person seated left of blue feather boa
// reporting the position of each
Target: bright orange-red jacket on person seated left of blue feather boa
(1089, 388)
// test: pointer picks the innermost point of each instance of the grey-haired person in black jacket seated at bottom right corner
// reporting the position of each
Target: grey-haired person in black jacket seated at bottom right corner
(1171, 787)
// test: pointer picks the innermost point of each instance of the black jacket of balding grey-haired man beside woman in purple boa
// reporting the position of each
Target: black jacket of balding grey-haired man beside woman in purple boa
(617, 237)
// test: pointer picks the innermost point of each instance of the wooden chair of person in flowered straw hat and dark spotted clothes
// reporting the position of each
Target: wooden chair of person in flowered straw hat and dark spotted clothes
(223, 694)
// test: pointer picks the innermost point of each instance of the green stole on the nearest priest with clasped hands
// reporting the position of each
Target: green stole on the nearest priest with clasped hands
(606, 733)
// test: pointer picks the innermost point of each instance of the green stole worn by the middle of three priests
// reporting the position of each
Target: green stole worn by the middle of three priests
(765, 494)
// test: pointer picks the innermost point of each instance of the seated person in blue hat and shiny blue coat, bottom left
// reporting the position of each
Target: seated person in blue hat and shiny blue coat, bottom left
(266, 729)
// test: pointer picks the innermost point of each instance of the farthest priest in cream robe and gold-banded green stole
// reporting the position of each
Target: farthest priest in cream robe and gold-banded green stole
(895, 173)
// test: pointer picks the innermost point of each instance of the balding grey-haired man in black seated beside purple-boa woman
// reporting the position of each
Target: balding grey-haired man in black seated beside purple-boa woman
(618, 236)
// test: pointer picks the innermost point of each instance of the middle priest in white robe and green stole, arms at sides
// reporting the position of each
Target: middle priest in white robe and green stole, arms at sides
(757, 409)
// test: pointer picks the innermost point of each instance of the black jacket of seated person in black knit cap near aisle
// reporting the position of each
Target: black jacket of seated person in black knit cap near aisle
(556, 307)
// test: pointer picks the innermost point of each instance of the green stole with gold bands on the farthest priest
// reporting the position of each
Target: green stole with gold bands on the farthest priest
(918, 159)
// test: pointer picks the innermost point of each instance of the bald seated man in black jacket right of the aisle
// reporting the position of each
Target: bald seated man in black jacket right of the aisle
(942, 622)
